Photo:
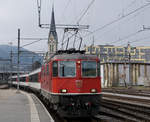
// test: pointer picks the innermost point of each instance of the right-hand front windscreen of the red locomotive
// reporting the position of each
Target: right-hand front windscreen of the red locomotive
(89, 69)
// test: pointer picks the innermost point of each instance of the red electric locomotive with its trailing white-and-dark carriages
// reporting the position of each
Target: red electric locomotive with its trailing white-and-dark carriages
(69, 82)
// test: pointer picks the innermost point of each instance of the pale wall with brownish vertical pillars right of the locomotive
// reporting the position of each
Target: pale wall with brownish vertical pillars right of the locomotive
(117, 74)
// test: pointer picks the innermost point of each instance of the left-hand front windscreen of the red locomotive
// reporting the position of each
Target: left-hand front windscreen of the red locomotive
(67, 68)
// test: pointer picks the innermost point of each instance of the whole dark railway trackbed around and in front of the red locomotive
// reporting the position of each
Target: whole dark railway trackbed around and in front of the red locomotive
(113, 109)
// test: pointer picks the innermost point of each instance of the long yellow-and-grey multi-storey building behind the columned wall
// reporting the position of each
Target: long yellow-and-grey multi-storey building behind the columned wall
(111, 53)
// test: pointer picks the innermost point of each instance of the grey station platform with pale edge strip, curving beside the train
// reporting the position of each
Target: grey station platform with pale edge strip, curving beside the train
(21, 107)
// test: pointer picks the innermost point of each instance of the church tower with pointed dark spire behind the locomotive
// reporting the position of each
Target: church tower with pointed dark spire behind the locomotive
(52, 39)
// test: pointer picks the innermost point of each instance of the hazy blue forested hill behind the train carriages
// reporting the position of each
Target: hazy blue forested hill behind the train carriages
(27, 58)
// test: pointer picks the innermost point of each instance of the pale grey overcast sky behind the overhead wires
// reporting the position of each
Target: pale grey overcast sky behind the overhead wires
(22, 14)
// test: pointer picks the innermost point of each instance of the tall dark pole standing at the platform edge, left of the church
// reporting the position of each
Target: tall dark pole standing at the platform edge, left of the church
(18, 60)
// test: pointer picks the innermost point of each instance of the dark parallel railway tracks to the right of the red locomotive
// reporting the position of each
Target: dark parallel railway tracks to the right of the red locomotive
(125, 108)
